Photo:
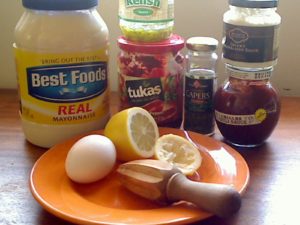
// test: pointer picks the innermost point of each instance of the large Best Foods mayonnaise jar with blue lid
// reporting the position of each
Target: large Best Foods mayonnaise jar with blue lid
(61, 51)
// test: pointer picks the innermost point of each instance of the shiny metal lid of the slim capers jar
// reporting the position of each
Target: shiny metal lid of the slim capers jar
(205, 44)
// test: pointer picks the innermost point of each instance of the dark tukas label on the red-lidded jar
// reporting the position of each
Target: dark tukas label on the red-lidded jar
(160, 96)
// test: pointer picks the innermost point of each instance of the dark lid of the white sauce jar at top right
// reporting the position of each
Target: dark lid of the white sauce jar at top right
(254, 3)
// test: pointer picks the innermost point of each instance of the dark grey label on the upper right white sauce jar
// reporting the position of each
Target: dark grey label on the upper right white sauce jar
(250, 44)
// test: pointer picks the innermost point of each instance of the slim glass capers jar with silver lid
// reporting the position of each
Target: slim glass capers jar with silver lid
(200, 84)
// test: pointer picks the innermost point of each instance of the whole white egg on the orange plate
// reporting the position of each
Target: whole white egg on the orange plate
(90, 159)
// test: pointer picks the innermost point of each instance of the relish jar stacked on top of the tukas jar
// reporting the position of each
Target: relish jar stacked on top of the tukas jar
(146, 21)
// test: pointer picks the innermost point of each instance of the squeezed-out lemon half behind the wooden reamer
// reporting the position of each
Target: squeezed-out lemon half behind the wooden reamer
(179, 152)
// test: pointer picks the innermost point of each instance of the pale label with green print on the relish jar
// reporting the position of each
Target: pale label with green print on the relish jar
(150, 11)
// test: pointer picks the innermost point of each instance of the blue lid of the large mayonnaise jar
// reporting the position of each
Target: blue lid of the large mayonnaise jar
(59, 5)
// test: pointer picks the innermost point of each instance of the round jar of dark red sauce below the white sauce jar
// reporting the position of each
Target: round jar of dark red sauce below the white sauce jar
(247, 107)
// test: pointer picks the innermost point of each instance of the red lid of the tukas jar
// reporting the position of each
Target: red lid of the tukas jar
(173, 44)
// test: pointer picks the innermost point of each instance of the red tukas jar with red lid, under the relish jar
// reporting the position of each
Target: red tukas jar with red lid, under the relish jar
(151, 77)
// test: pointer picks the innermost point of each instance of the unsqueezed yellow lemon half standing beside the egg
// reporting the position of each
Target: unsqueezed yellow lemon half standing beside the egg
(134, 133)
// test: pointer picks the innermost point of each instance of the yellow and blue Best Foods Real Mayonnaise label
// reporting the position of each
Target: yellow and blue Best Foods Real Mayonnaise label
(63, 88)
